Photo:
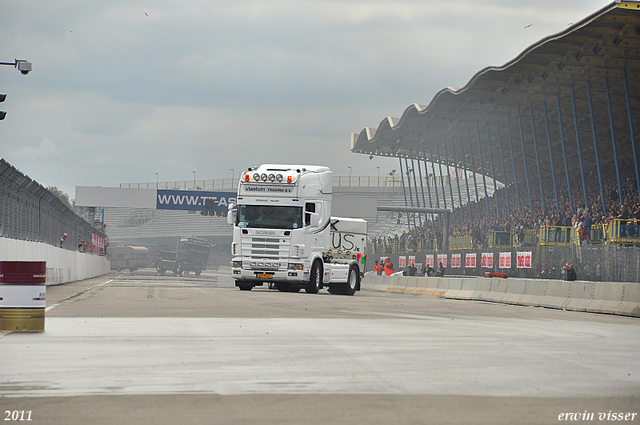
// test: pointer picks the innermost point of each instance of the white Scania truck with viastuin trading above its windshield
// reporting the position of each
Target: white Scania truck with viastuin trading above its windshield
(284, 234)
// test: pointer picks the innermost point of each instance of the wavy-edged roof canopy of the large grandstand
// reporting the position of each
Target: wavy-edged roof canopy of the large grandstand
(566, 78)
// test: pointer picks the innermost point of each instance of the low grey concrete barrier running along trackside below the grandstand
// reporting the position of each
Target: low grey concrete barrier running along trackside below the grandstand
(596, 297)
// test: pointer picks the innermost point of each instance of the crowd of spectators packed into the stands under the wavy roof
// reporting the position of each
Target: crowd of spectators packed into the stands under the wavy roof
(477, 219)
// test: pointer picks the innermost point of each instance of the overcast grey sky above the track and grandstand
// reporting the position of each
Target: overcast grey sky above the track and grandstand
(121, 90)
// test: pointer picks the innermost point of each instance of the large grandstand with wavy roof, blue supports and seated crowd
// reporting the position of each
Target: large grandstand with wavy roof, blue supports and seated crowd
(558, 125)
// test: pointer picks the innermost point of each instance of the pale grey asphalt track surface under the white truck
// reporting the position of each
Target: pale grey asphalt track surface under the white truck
(138, 348)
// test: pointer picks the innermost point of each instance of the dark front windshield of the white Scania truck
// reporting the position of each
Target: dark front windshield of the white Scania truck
(269, 217)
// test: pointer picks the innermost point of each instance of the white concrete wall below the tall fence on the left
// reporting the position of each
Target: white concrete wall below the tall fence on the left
(62, 265)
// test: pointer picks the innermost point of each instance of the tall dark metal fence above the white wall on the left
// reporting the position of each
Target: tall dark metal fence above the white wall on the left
(28, 211)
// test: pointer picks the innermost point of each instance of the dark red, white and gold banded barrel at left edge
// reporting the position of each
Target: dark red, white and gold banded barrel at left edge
(22, 295)
